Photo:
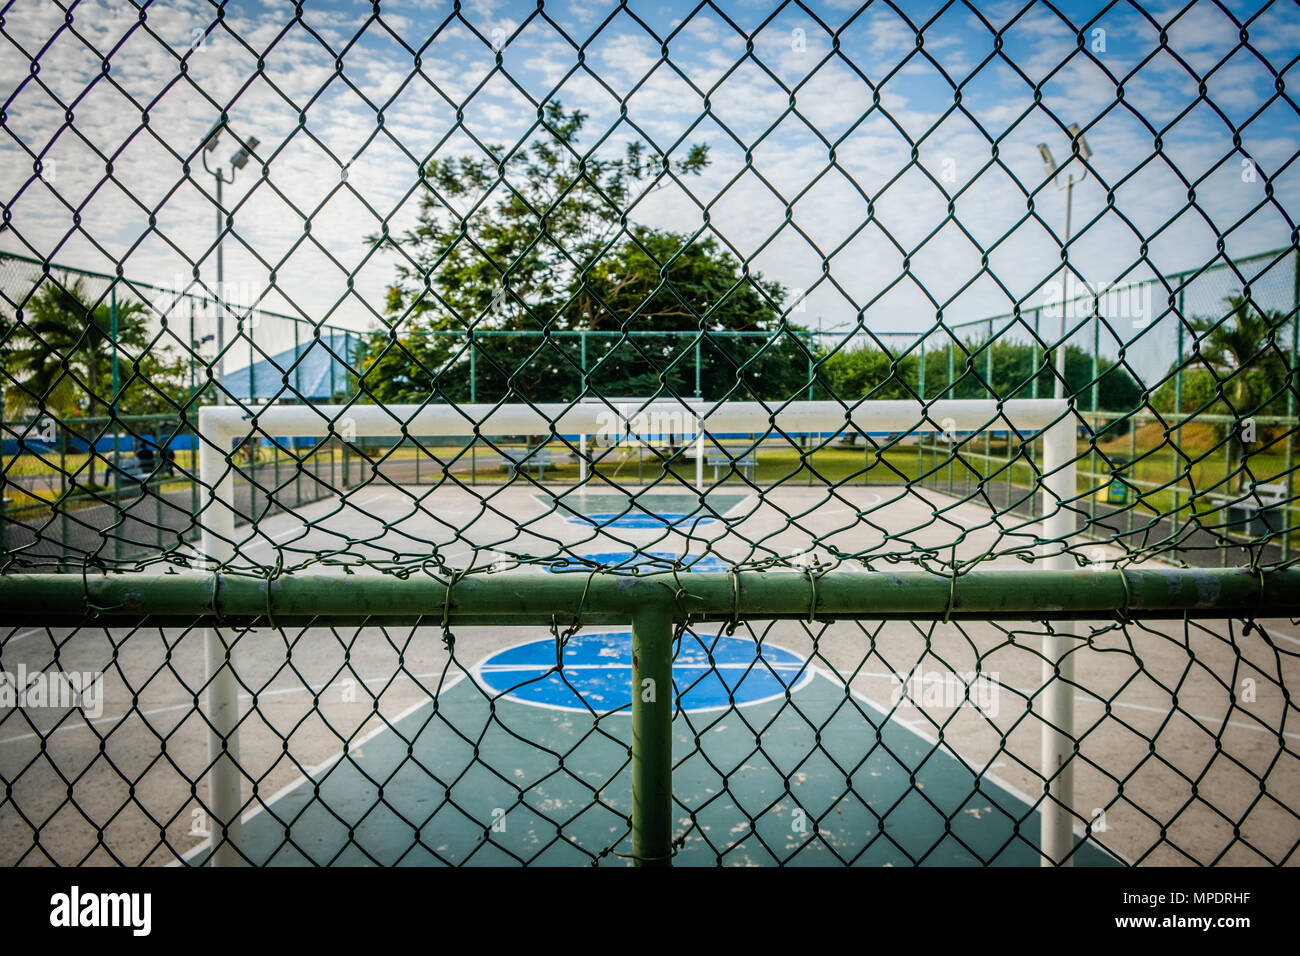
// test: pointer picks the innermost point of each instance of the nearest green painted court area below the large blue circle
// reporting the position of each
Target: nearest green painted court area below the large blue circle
(484, 780)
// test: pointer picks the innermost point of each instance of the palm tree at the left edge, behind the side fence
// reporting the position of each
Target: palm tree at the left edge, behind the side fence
(62, 352)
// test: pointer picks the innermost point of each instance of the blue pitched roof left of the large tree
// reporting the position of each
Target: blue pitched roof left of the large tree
(318, 378)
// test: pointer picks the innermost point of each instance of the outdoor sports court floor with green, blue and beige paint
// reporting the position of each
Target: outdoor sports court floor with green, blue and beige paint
(792, 742)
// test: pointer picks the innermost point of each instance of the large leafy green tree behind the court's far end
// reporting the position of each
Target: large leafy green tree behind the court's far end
(547, 248)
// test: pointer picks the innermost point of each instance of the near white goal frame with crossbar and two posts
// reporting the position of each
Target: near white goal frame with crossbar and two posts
(220, 427)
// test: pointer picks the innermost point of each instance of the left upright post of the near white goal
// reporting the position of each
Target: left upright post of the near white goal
(219, 530)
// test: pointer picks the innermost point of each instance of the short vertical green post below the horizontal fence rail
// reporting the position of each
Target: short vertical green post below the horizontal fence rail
(652, 736)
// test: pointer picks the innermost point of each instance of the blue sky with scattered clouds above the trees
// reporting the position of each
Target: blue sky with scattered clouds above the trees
(708, 59)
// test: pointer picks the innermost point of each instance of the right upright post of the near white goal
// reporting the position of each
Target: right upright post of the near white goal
(1058, 742)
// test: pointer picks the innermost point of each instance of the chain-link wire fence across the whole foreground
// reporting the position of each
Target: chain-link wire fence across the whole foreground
(595, 436)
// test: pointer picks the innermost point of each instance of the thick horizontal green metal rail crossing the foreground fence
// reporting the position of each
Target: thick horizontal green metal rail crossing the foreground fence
(539, 598)
